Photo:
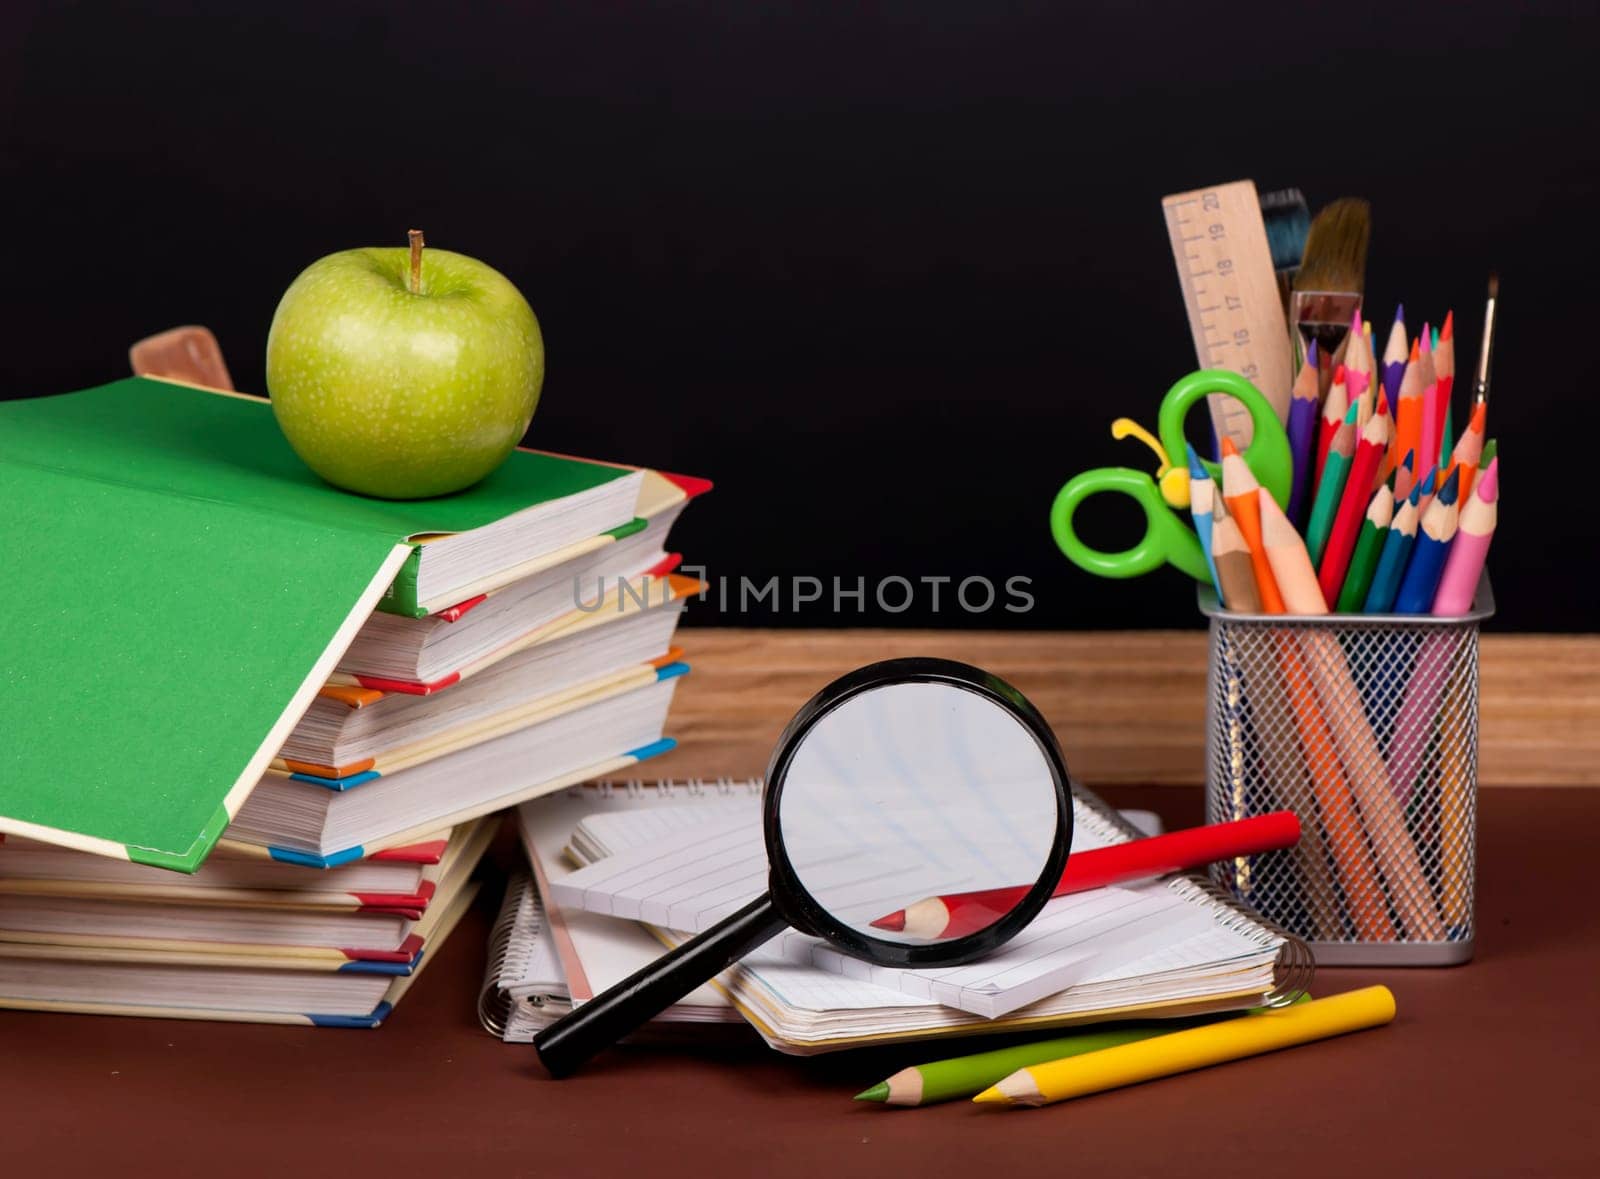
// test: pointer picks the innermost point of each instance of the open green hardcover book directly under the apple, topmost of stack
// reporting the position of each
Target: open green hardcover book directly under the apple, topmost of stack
(164, 542)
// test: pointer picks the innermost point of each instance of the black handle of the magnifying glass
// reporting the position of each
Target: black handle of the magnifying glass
(633, 1002)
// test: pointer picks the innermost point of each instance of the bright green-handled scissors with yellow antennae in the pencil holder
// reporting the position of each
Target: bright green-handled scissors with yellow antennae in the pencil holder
(1167, 538)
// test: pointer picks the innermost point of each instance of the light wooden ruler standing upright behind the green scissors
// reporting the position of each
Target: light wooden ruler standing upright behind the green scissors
(1231, 290)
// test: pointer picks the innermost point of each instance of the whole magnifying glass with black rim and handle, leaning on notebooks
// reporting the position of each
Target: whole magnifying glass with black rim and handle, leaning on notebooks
(905, 780)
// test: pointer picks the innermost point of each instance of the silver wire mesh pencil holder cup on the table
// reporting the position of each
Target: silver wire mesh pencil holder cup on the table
(1366, 727)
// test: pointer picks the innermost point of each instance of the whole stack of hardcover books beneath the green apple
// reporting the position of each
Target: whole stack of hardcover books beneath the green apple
(257, 727)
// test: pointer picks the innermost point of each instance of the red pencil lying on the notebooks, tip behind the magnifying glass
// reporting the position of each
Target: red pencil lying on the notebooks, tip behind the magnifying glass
(961, 914)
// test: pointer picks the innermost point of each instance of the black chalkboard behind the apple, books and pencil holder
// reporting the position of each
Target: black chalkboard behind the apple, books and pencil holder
(886, 273)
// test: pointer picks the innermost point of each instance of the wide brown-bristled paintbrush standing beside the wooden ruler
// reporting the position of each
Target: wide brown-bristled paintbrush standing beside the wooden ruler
(1329, 287)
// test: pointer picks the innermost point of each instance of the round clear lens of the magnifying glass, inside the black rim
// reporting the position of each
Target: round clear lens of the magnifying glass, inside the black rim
(916, 813)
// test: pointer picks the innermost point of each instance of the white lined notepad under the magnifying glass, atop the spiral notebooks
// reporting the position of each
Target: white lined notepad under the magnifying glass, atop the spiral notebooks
(684, 869)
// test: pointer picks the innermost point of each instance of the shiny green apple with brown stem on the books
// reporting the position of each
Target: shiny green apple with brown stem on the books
(404, 374)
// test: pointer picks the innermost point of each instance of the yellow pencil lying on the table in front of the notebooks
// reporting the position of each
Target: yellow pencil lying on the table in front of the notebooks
(1194, 1049)
